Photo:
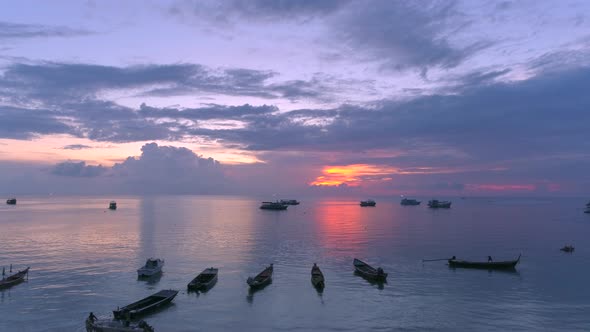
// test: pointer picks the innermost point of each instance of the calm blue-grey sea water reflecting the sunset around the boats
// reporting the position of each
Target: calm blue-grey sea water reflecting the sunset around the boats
(84, 257)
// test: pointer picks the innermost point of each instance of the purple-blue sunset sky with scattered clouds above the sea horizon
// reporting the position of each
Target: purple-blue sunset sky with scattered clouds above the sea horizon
(359, 98)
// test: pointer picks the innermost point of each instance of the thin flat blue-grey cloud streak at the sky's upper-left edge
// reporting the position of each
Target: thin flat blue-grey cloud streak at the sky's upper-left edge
(18, 30)
